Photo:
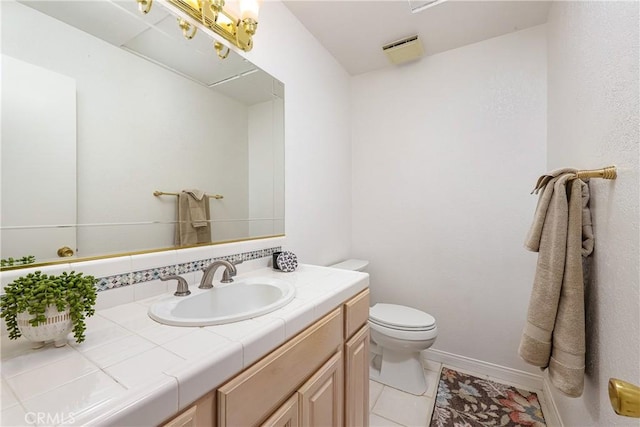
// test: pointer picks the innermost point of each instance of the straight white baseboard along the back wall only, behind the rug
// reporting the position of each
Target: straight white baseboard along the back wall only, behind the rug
(508, 375)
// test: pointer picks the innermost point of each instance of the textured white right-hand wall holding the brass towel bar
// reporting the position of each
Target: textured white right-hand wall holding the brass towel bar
(593, 122)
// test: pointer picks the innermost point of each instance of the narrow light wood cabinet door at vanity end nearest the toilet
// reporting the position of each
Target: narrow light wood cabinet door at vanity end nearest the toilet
(356, 355)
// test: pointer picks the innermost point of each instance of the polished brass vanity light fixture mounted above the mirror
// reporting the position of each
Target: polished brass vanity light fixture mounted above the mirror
(213, 15)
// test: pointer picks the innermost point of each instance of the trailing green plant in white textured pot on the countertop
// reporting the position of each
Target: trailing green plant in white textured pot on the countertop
(44, 307)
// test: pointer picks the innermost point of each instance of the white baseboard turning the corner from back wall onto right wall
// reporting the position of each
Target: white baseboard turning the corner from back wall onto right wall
(511, 376)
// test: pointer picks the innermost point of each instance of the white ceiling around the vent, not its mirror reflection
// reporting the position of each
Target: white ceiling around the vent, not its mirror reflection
(354, 31)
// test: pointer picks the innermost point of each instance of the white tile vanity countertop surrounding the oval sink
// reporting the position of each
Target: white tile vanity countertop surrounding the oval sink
(133, 371)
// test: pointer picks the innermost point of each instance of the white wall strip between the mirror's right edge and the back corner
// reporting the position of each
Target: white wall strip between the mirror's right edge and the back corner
(317, 135)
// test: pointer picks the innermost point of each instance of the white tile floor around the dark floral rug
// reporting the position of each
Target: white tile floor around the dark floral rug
(391, 408)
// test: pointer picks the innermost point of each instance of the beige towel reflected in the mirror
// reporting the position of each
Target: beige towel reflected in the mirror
(194, 224)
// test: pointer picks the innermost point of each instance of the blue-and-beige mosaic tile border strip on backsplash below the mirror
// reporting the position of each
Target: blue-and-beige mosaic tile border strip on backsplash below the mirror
(126, 279)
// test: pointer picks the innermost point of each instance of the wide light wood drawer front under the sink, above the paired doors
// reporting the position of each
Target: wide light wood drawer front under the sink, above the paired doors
(253, 395)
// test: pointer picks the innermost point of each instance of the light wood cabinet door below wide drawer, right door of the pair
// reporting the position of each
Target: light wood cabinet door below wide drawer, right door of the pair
(321, 397)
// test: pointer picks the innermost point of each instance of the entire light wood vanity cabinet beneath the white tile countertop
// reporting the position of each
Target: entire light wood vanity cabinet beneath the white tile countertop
(320, 377)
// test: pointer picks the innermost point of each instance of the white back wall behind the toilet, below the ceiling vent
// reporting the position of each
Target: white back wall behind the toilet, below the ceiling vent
(445, 153)
